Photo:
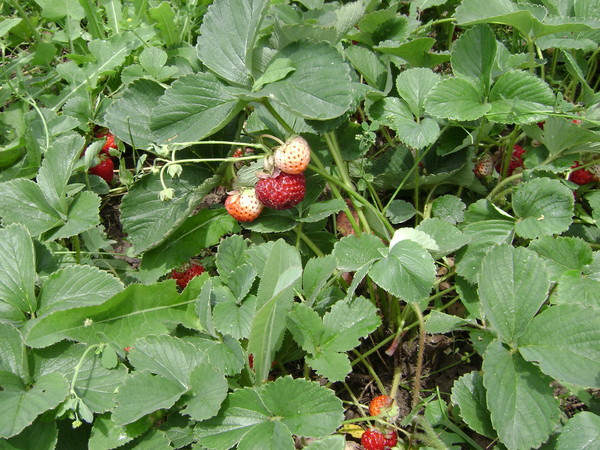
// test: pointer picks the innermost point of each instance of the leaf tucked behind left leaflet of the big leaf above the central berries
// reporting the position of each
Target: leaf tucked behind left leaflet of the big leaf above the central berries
(129, 114)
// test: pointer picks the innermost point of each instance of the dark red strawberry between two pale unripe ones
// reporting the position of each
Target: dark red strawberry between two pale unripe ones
(281, 192)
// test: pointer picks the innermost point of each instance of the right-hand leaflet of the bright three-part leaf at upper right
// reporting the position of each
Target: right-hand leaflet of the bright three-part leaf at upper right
(520, 97)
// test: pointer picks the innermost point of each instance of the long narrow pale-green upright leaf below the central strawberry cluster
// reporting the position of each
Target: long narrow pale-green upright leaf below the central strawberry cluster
(279, 279)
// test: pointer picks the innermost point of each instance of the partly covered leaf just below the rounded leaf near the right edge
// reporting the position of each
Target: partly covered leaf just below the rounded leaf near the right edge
(562, 254)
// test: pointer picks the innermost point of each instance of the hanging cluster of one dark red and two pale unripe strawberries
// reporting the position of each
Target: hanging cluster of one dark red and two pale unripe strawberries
(282, 188)
